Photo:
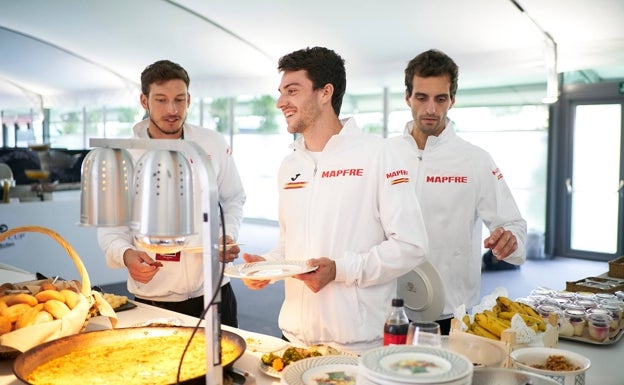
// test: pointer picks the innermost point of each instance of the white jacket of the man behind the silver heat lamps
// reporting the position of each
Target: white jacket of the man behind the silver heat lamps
(180, 280)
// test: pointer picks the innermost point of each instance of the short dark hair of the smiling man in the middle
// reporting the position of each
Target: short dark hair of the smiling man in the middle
(323, 66)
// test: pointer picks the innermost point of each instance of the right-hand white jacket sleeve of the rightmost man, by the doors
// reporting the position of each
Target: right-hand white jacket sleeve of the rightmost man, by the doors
(497, 208)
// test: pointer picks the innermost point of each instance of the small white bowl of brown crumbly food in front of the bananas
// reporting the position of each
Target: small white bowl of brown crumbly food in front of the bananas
(524, 358)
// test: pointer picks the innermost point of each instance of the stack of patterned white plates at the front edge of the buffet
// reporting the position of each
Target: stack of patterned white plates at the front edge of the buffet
(406, 364)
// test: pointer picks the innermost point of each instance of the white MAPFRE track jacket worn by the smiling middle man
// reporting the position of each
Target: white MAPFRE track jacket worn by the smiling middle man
(355, 205)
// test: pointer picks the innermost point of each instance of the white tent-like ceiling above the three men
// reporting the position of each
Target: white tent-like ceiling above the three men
(56, 52)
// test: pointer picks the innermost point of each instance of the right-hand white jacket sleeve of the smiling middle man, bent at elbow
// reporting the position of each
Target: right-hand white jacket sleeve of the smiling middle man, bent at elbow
(406, 243)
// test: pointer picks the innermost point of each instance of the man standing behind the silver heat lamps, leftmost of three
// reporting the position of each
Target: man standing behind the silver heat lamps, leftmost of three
(175, 281)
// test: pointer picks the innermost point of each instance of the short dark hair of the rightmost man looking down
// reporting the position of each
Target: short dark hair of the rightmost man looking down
(431, 63)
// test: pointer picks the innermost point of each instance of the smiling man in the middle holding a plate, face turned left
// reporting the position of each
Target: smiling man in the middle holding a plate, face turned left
(346, 208)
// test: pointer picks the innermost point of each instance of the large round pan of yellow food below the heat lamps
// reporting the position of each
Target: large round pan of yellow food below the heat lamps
(139, 355)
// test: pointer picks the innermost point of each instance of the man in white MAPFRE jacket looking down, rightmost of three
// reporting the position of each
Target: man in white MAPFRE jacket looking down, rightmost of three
(459, 186)
